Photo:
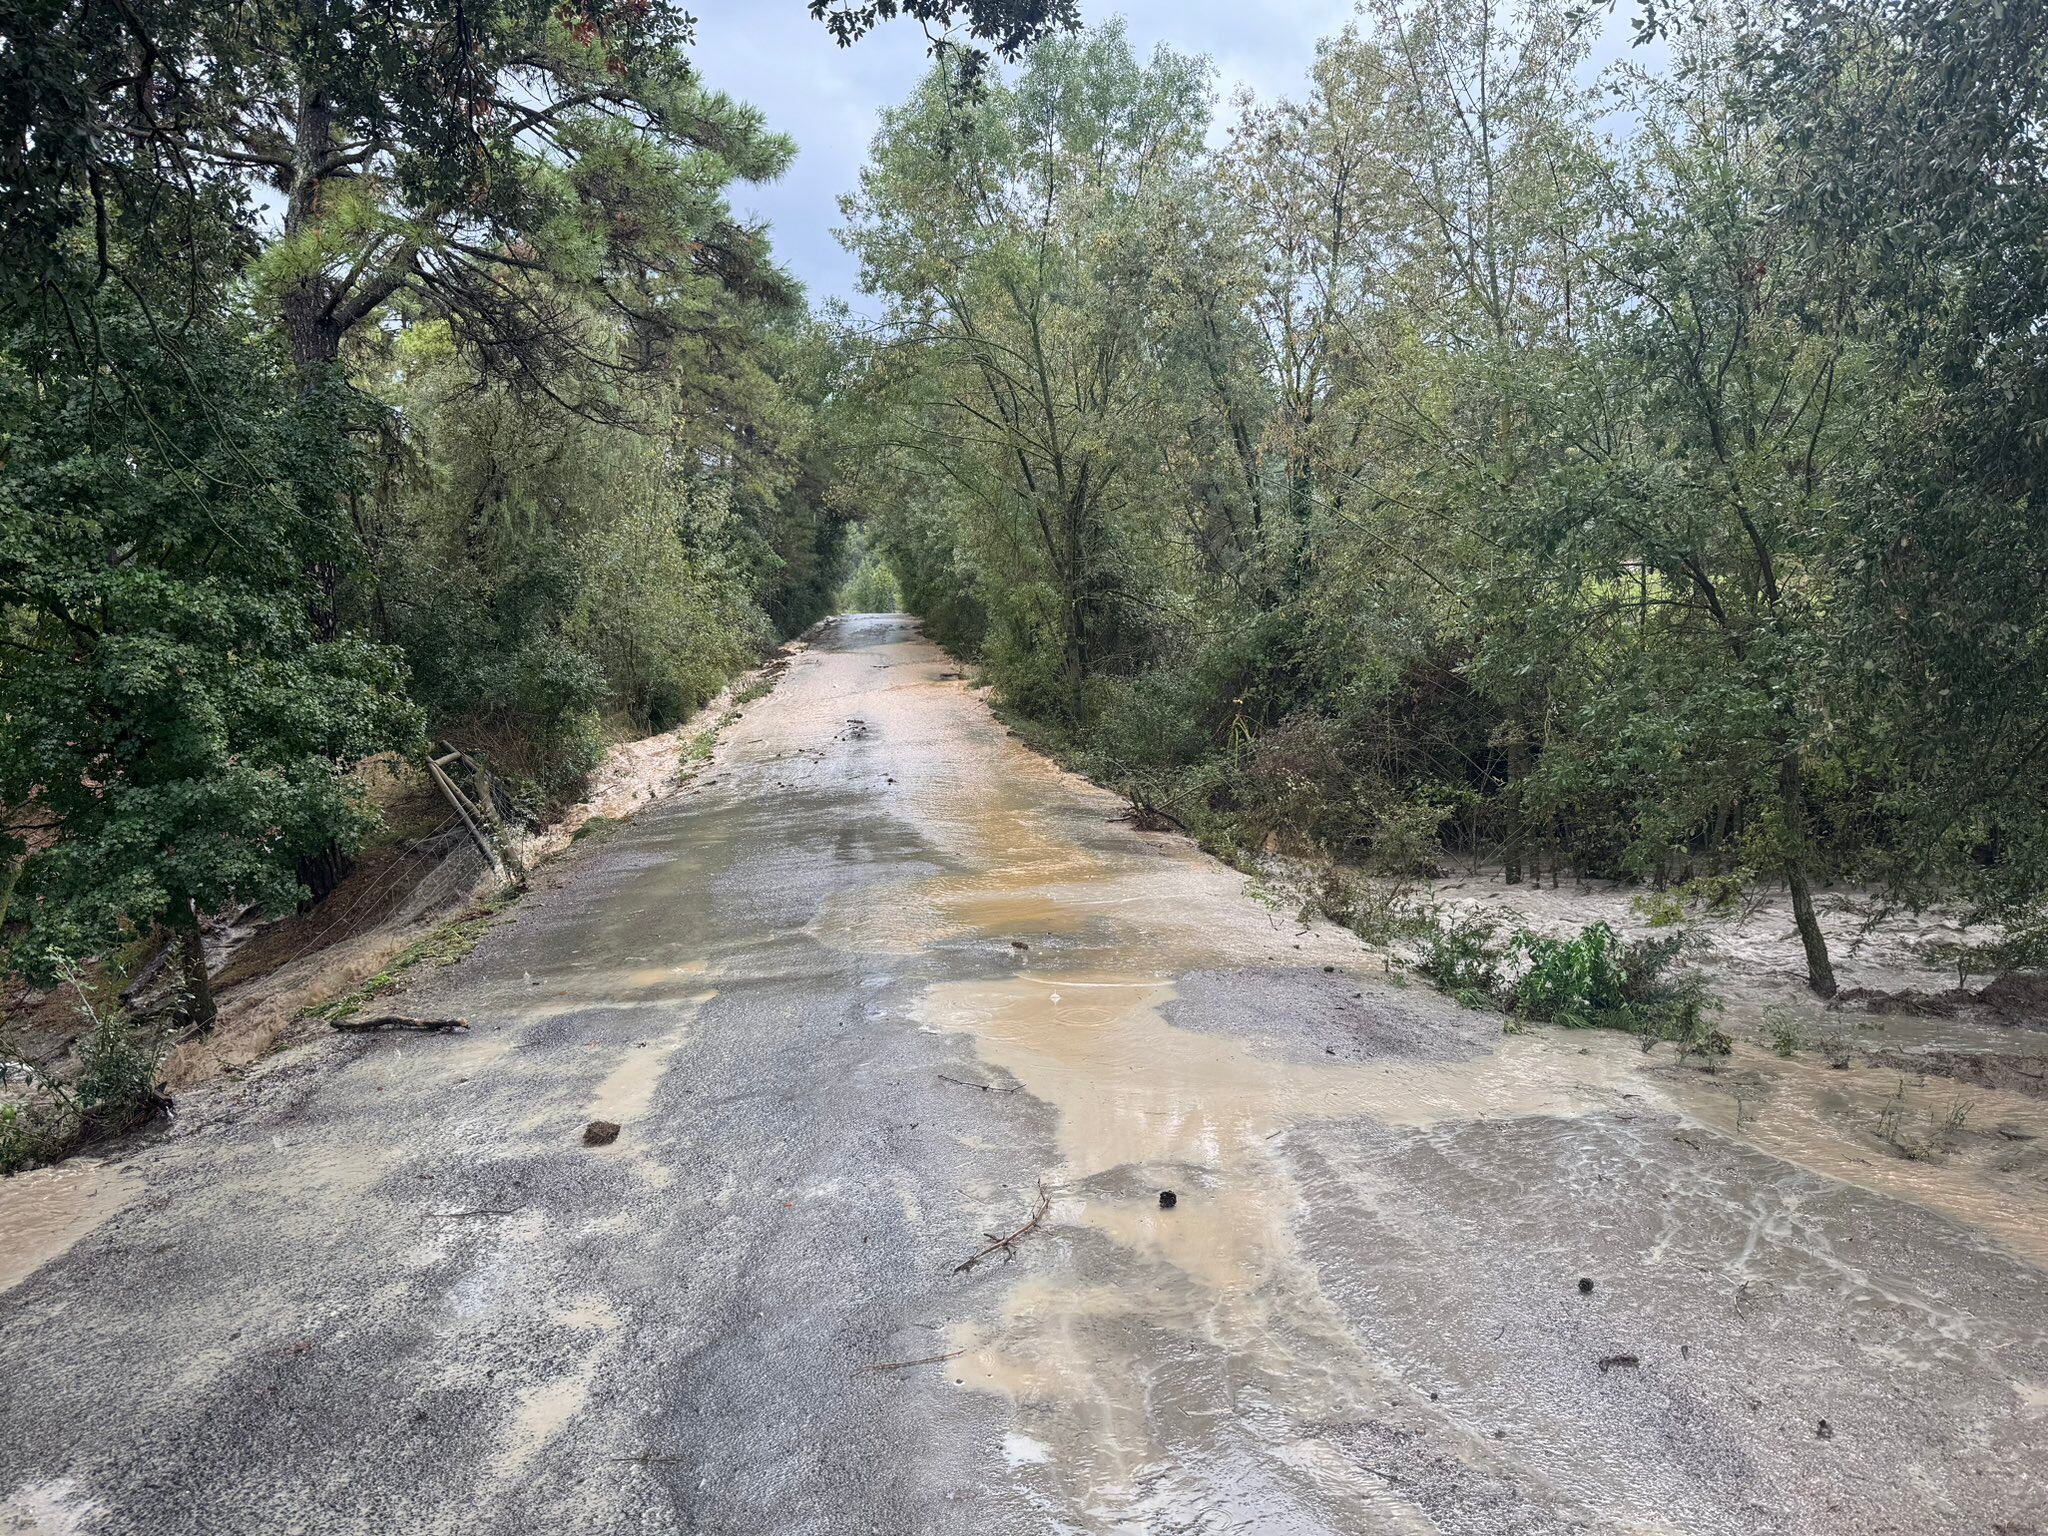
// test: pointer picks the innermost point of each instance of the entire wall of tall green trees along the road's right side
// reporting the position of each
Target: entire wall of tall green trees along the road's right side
(1635, 476)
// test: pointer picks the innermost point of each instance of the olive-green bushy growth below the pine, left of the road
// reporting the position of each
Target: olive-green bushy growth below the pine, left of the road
(548, 574)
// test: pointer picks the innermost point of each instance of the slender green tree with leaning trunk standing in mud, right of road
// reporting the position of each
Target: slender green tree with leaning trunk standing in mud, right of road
(1687, 536)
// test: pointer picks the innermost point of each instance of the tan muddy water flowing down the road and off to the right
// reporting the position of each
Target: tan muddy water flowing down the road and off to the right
(1162, 1365)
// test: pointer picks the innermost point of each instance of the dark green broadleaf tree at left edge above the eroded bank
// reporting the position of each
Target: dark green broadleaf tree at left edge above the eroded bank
(177, 724)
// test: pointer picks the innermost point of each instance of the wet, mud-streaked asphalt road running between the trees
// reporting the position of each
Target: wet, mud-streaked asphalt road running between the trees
(880, 990)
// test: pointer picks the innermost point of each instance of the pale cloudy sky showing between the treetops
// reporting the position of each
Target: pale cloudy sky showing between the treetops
(771, 54)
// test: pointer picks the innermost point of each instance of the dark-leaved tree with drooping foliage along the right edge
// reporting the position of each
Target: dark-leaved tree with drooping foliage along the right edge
(1940, 241)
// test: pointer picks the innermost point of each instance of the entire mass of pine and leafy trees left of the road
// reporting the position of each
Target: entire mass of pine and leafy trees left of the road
(368, 374)
